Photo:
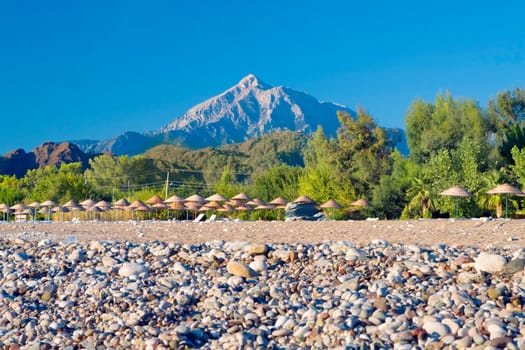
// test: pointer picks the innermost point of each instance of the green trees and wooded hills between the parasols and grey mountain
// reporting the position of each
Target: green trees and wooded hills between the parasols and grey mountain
(452, 141)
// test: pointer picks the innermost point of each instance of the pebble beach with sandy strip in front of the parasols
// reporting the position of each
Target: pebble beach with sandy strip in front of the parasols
(423, 284)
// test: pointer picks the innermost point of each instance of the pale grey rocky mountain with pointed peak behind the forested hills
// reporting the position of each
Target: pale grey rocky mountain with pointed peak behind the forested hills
(251, 108)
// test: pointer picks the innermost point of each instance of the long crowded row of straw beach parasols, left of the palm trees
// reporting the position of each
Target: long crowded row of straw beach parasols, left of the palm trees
(195, 203)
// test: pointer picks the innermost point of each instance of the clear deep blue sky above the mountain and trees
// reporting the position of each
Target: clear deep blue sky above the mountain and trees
(94, 69)
